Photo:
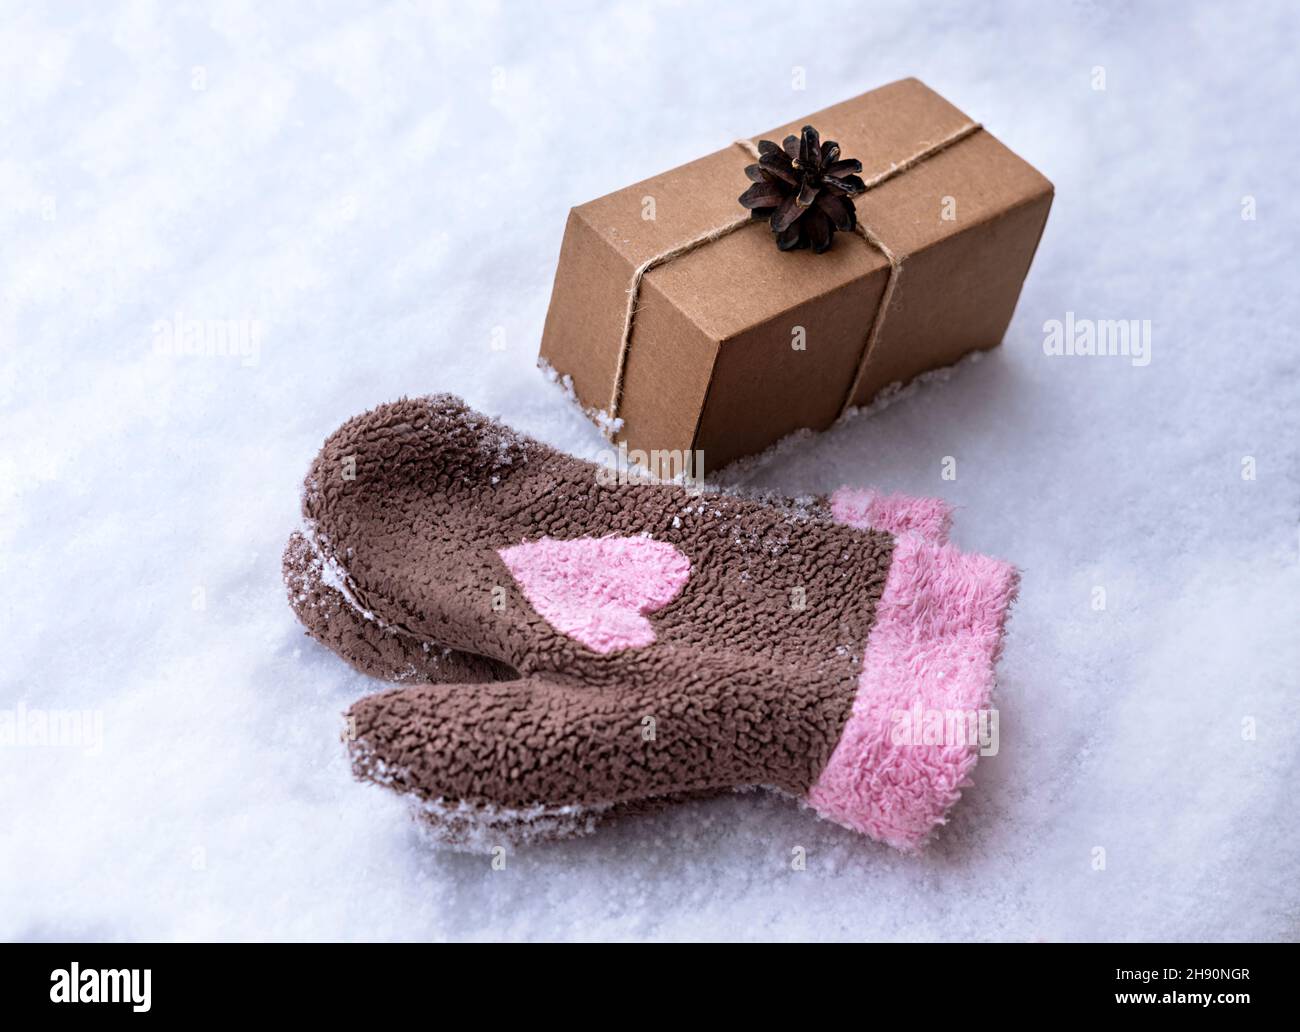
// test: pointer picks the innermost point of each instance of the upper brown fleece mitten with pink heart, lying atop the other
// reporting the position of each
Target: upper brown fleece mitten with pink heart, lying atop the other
(666, 644)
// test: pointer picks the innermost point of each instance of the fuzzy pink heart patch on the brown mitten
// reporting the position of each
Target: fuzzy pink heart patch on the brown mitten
(599, 591)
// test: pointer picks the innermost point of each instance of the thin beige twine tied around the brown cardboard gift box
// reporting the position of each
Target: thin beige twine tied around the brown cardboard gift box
(744, 220)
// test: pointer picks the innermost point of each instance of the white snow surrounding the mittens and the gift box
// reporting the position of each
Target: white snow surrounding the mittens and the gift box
(365, 201)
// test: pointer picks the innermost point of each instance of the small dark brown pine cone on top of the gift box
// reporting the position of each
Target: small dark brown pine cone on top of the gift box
(805, 189)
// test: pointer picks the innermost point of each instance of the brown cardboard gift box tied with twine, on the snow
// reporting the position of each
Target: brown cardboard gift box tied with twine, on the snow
(684, 328)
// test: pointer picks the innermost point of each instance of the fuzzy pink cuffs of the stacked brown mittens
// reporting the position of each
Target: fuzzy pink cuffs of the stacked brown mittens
(922, 710)
